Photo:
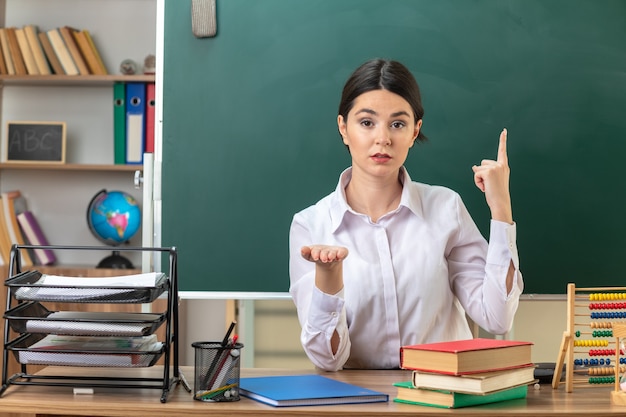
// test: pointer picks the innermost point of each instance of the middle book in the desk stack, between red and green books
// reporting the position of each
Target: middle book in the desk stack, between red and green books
(481, 383)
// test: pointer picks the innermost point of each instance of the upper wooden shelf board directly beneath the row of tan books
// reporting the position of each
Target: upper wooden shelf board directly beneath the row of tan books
(78, 80)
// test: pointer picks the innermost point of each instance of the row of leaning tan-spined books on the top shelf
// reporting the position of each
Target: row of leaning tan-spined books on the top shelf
(28, 51)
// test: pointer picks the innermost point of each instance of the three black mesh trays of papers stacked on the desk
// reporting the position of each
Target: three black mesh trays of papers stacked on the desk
(76, 338)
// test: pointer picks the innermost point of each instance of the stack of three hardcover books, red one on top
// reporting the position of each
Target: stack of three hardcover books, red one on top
(465, 372)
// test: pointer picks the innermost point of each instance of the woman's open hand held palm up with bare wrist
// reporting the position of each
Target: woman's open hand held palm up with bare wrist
(328, 266)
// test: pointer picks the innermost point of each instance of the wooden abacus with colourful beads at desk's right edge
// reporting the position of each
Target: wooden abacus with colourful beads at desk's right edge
(608, 310)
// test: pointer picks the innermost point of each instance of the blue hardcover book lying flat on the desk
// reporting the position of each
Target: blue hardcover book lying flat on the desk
(299, 390)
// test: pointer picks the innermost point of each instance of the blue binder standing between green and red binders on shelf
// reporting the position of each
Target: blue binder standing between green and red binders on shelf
(135, 122)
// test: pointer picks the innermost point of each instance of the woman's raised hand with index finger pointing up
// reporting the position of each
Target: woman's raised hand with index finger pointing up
(492, 178)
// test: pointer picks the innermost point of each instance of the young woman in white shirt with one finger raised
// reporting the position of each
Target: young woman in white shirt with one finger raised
(384, 261)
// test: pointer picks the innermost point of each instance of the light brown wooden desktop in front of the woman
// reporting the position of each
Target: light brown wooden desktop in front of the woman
(58, 401)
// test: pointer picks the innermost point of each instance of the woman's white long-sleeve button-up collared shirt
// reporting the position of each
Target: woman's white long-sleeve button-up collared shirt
(409, 278)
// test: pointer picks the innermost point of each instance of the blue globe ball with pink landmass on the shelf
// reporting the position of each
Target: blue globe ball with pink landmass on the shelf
(113, 216)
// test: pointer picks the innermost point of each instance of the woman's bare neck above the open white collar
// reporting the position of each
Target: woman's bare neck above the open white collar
(374, 197)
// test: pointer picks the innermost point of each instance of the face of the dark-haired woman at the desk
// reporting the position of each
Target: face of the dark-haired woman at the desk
(379, 132)
